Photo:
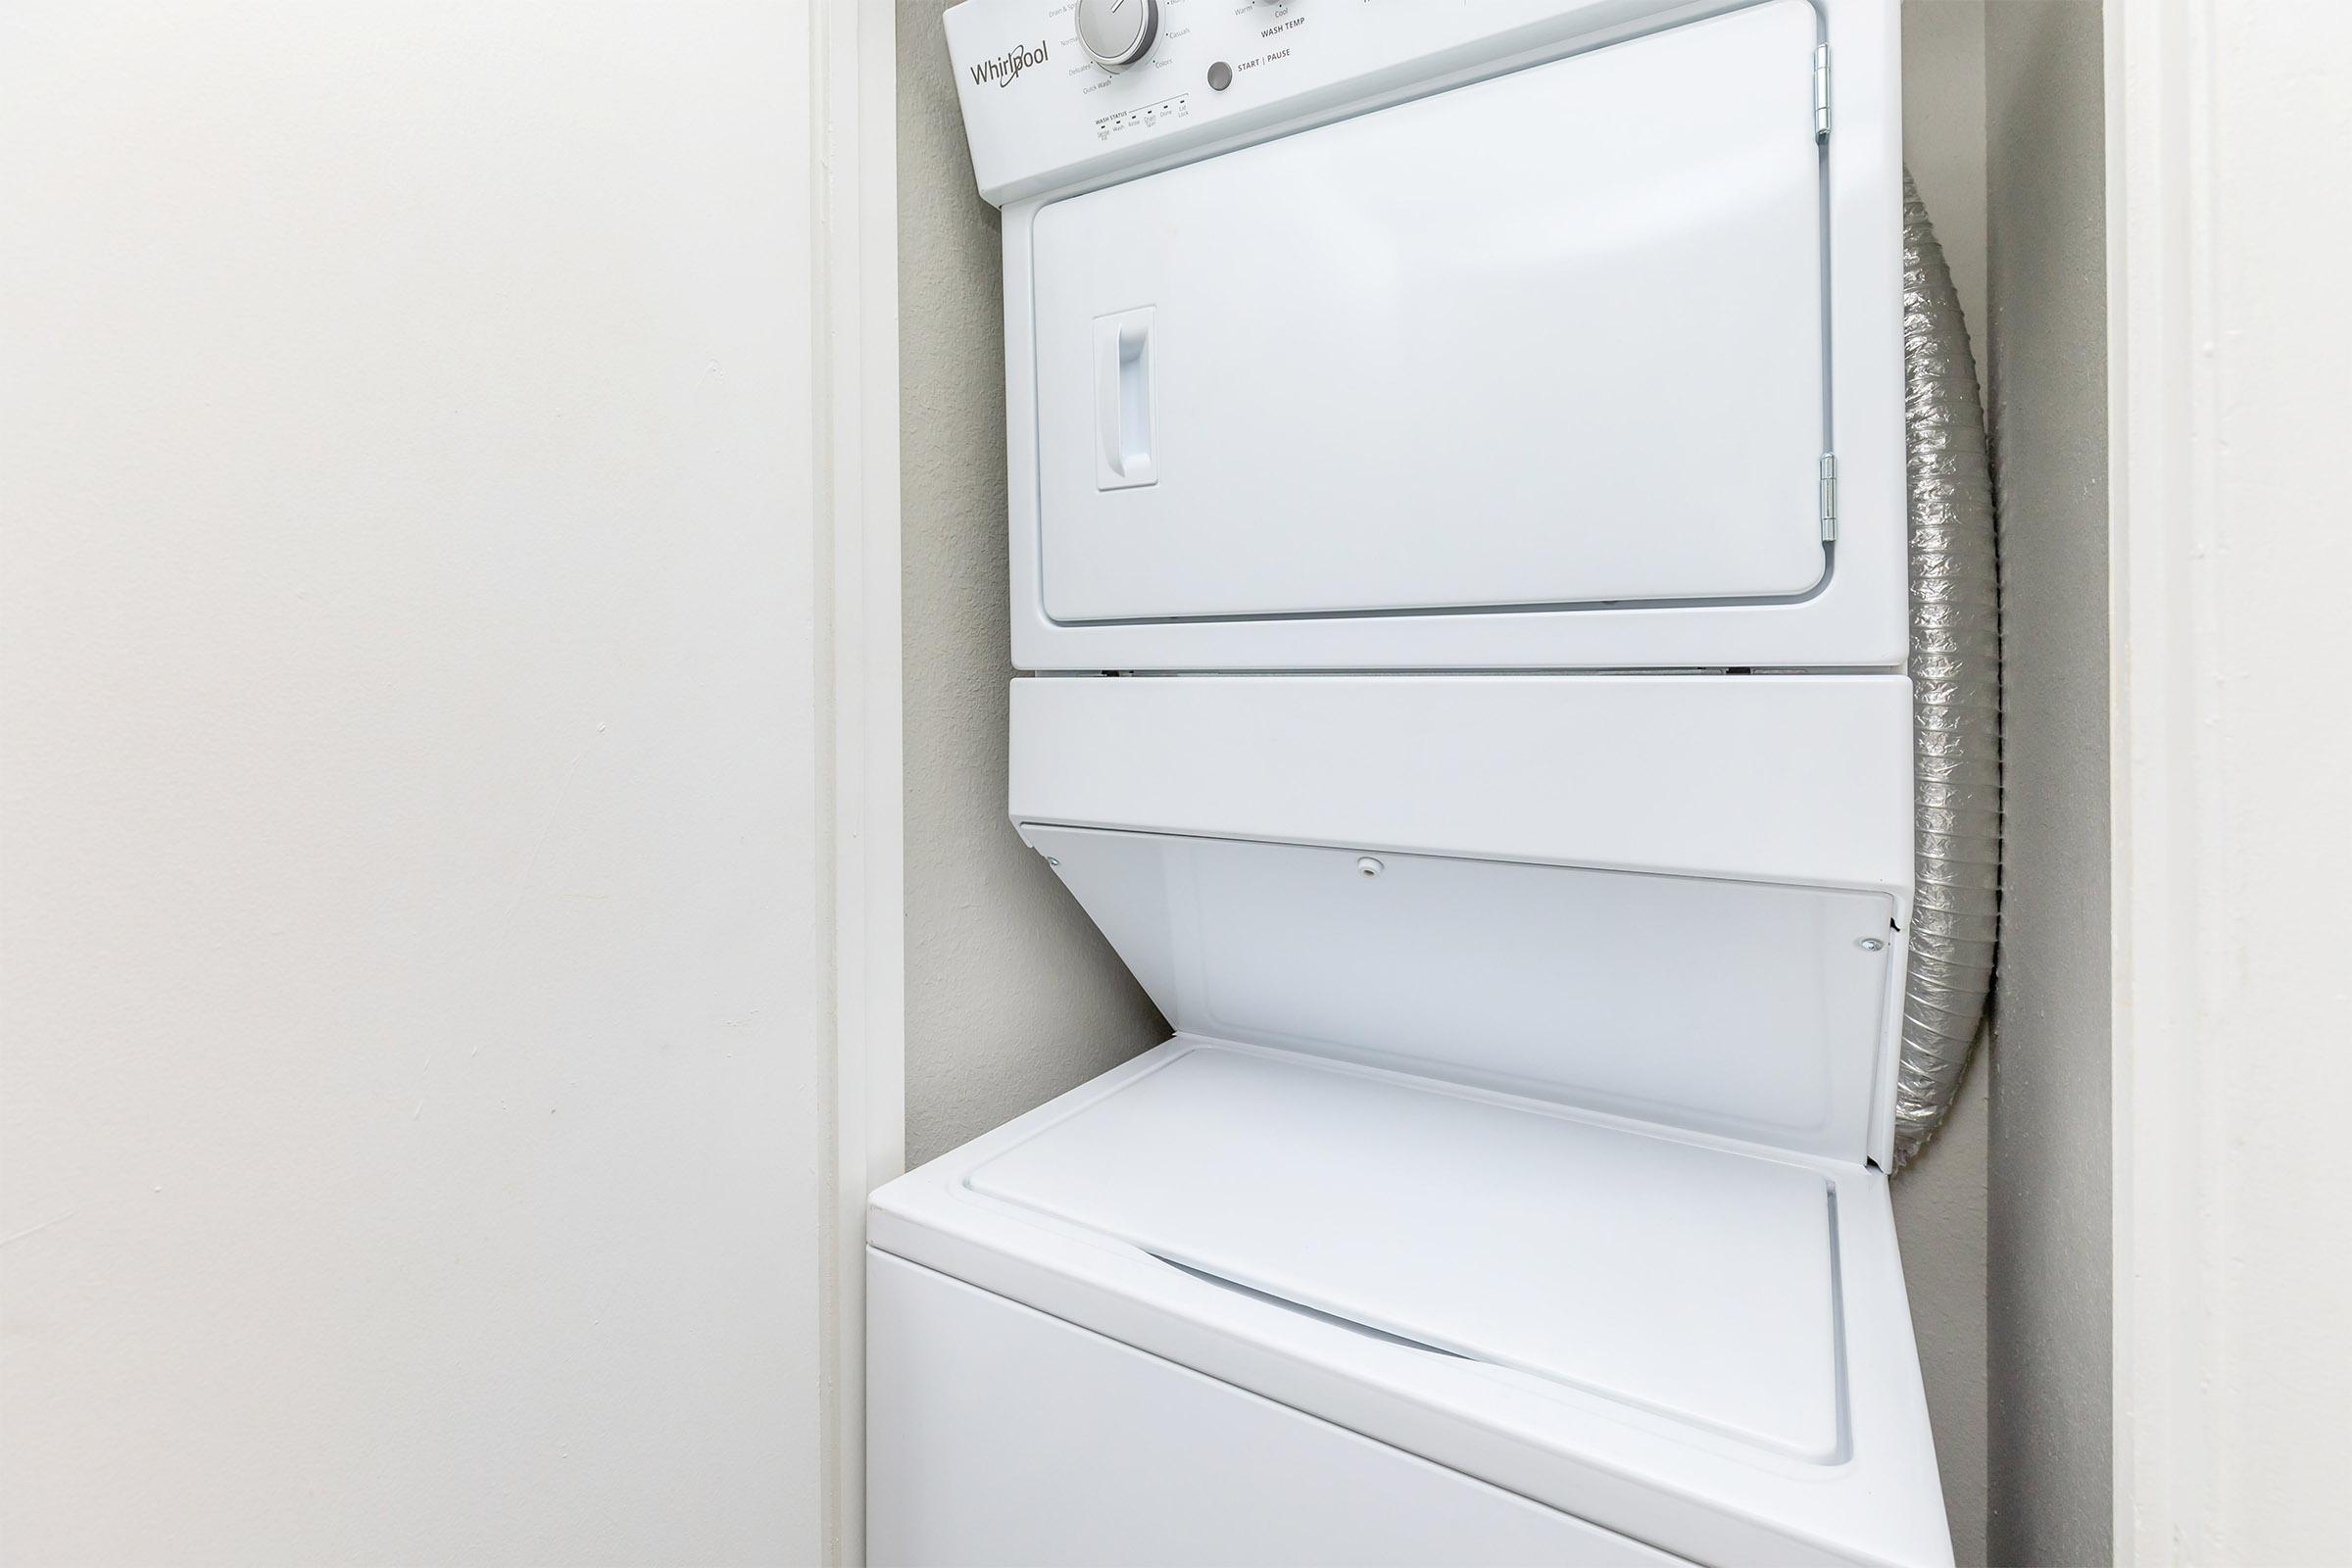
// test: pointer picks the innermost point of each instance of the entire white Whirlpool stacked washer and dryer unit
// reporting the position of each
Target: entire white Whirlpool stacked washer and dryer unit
(1459, 549)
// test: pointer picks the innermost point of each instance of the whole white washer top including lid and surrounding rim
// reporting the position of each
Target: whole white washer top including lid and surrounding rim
(1685, 1339)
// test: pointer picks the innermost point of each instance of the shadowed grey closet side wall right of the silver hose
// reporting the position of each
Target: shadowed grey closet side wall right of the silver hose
(2050, 1266)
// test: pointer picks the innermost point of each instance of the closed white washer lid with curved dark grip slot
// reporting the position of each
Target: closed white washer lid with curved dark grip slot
(1685, 1280)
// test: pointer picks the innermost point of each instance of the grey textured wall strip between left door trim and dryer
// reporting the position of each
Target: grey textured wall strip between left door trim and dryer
(1010, 991)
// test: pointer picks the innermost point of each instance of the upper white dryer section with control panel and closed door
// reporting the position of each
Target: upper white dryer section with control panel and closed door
(1450, 335)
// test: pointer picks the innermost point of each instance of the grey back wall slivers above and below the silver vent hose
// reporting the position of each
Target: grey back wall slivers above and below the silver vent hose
(1942, 1195)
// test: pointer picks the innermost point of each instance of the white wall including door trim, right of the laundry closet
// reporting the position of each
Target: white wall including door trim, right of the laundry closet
(2231, 156)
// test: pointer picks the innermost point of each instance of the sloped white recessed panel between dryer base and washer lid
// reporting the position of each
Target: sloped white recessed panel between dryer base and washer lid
(1746, 1010)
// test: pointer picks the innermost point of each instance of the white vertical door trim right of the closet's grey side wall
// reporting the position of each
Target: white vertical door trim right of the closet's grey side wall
(2163, 518)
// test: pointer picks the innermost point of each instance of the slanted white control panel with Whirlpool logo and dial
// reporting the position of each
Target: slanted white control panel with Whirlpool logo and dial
(1067, 93)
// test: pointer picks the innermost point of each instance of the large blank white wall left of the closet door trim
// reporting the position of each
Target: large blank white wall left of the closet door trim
(410, 756)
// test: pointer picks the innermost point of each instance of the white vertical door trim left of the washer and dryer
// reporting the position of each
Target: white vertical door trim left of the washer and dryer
(857, 377)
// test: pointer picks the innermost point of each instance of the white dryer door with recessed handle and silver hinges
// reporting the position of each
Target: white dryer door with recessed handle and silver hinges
(1544, 340)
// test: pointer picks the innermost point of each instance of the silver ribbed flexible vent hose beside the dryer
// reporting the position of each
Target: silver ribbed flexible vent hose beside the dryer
(1956, 664)
